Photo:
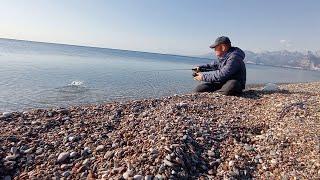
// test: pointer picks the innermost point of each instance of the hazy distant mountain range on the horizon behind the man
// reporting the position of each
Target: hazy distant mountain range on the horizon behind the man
(302, 60)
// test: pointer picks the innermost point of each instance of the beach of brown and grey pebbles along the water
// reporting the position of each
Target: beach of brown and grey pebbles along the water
(260, 135)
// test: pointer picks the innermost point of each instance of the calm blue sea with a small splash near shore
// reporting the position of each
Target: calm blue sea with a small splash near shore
(48, 75)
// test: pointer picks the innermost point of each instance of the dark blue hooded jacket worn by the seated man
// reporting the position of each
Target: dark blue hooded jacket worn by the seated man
(230, 66)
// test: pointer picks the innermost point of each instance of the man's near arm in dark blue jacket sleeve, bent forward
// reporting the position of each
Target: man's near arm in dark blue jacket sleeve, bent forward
(223, 74)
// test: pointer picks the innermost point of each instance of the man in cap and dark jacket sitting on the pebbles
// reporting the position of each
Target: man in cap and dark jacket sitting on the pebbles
(228, 75)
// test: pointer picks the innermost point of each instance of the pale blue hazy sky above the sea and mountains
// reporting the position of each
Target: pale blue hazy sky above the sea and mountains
(166, 26)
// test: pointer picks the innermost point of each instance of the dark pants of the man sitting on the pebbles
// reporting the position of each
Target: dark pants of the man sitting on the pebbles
(231, 87)
